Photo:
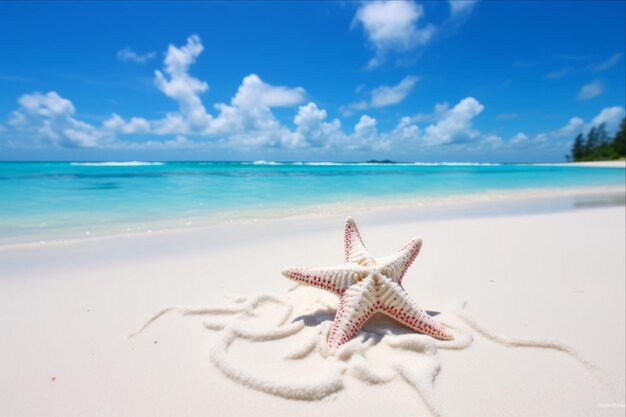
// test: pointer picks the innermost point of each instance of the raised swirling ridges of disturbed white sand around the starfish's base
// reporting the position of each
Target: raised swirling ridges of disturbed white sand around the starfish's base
(274, 344)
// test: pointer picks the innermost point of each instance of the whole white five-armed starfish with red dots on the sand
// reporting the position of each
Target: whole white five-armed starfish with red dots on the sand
(366, 285)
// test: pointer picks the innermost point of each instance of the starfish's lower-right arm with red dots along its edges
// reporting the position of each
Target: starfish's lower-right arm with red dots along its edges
(396, 303)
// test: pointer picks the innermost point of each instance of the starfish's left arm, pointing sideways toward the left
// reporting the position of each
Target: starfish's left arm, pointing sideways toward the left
(335, 279)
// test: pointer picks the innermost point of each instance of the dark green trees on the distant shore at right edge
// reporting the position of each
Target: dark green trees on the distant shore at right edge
(598, 146)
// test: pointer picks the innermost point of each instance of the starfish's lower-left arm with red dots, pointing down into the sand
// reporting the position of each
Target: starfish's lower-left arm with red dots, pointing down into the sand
(355, 307)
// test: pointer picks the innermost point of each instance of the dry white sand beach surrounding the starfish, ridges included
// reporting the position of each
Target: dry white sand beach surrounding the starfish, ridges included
(66, 312)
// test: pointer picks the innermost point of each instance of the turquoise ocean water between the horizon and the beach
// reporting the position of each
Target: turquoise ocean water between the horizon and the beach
(43, 198)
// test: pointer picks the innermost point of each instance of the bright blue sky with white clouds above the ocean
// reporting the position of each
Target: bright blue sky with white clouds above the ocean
(409, 81)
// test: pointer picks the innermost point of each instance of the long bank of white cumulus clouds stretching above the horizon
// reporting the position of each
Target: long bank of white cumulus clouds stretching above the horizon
(248, 122)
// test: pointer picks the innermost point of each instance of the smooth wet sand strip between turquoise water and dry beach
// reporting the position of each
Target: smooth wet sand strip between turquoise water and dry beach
(490, 203)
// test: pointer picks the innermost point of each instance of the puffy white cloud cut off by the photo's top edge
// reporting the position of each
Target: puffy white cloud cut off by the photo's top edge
(392, 26)
